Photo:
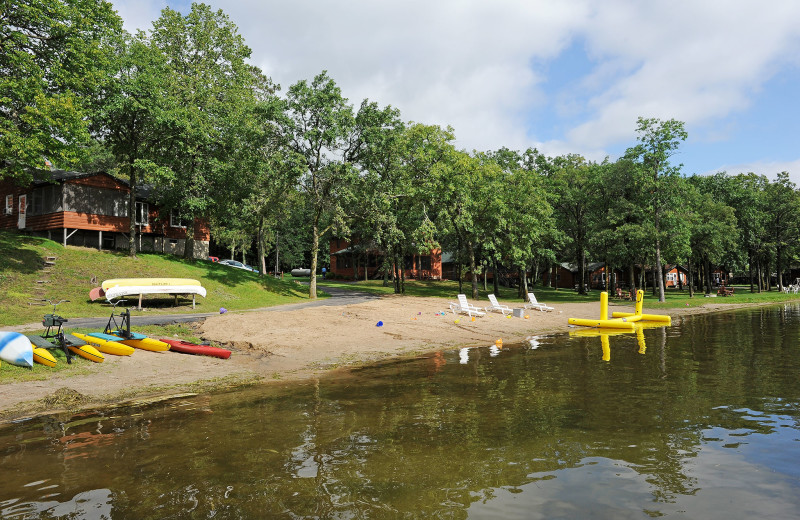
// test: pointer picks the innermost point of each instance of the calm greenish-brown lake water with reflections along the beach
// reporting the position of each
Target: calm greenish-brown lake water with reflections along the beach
(696, 420)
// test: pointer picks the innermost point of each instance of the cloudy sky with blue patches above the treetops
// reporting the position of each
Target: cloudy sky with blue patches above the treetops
(564, 76)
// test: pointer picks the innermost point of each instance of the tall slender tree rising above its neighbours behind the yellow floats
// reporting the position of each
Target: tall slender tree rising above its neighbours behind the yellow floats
(658, 141)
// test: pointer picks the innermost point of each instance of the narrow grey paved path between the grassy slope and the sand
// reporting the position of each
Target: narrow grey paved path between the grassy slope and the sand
(338, 297)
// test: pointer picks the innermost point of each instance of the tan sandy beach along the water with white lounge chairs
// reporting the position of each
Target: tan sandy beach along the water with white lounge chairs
(294, 345)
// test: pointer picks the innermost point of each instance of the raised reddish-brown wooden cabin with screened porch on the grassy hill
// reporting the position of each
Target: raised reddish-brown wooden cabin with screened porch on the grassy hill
(91, 209)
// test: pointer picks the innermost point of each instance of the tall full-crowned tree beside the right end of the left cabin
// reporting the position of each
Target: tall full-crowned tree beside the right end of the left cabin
(210, 92)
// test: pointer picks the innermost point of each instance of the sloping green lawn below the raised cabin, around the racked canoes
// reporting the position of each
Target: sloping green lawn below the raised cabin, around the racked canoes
(22, 269)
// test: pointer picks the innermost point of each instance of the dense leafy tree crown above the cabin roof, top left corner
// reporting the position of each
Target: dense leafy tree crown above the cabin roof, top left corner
(54, 57)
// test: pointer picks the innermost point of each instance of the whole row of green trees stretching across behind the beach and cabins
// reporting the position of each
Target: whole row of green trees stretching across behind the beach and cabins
(180, 107)
